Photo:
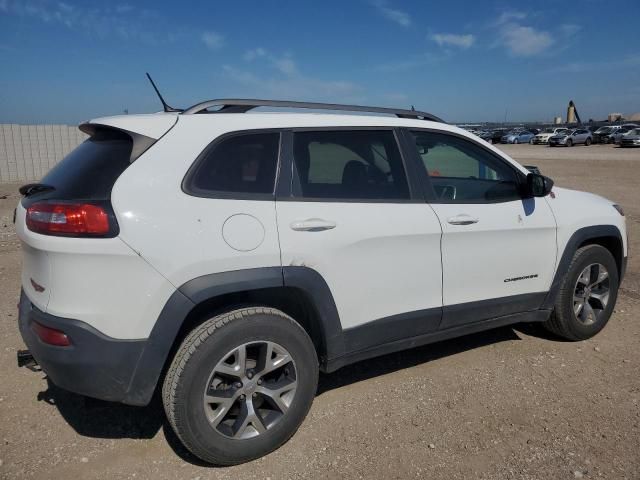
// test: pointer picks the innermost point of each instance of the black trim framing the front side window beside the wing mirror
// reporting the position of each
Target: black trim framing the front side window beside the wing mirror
(425, 177)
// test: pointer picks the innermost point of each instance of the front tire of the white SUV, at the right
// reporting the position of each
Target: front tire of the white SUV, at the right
(564, 321)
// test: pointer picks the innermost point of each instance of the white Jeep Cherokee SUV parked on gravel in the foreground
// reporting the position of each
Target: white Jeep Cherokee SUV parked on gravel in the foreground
(224, 257)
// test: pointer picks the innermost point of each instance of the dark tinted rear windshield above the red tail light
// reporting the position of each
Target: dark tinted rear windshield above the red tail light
(90, 171)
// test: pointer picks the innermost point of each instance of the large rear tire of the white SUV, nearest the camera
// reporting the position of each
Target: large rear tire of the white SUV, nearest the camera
(255, 331)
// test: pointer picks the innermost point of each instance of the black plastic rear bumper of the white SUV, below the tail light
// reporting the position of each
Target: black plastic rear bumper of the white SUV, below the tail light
(94, 365)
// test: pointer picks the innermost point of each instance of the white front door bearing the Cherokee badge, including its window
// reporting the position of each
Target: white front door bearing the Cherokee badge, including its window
(498, 249)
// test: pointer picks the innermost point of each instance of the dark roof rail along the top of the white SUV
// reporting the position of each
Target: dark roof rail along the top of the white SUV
(242, 105)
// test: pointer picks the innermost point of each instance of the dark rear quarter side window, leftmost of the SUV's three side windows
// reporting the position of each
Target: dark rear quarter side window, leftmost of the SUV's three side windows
(244, 163)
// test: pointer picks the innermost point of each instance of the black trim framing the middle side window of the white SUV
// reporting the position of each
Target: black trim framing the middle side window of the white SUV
(293, 193)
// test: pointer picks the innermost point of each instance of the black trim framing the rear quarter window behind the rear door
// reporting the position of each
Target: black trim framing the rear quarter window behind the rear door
(187, 181)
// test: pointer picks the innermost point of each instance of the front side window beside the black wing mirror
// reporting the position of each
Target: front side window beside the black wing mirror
(463, 172)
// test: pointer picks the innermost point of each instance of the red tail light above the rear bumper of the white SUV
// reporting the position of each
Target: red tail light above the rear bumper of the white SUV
(70, 219)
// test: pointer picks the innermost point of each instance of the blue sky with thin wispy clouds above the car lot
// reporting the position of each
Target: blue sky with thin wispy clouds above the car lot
(67, 61)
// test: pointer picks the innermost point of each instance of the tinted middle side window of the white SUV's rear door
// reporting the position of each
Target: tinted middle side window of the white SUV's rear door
(349, 165)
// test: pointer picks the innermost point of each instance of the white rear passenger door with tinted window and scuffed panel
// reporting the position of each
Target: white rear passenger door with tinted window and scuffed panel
(353, 216)
